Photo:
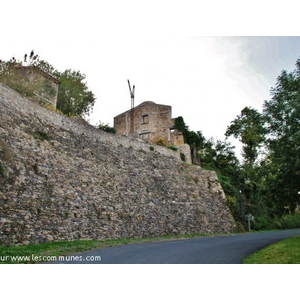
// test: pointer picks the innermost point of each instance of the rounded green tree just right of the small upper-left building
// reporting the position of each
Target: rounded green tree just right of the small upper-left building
(74, 97)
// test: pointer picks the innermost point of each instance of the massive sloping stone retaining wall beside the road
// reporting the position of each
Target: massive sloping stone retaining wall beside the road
(64, 180)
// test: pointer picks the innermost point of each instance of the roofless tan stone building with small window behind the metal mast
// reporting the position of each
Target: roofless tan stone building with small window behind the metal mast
(152, 122)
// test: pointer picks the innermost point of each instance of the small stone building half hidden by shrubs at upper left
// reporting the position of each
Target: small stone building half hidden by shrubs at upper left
(43, 85)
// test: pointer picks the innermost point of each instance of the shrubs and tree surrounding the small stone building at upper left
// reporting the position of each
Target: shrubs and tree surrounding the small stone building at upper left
(74, 98)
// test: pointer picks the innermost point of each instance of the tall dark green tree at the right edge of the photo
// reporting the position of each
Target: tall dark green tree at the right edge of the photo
(282, 113)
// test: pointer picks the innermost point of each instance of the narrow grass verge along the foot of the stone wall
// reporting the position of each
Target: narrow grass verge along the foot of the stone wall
(50, 251)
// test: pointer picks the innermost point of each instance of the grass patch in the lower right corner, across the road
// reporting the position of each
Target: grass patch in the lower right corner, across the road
(284, 252)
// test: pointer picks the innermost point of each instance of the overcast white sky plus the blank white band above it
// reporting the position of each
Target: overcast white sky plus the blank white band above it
(207, 80)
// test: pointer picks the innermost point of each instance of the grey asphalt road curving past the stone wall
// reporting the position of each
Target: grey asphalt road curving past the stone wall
(204, 250)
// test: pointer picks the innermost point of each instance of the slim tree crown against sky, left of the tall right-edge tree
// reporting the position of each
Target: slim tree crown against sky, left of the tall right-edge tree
(249, 129)
